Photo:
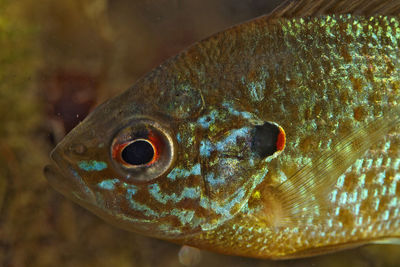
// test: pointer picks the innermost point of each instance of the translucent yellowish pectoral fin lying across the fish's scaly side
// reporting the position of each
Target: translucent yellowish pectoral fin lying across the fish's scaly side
(304, 195)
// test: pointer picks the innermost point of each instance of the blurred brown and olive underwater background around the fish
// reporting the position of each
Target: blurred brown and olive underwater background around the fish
(58, 60)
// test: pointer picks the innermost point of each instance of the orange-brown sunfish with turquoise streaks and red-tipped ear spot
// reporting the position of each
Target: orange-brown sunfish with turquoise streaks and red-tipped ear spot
(277, 138)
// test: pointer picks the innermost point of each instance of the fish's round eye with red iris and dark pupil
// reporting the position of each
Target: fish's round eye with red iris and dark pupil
(143, 150)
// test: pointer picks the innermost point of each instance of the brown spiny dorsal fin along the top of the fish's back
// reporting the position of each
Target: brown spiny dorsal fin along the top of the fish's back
(304, 8)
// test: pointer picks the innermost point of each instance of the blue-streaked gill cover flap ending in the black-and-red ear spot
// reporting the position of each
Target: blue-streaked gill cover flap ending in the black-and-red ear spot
(237, 162)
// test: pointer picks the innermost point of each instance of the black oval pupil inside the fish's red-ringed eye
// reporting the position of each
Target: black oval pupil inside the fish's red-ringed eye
(138, 153)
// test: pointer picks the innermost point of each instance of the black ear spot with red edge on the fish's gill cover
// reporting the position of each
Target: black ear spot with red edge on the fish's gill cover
(268, 138)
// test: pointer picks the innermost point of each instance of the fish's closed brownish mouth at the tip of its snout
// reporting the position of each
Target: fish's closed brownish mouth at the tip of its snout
(67, 181)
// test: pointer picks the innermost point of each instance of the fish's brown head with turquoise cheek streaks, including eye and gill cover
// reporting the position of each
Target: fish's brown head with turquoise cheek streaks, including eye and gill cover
(163, 162)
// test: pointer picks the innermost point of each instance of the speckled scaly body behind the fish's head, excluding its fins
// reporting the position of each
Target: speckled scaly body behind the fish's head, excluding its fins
(318, 78)
